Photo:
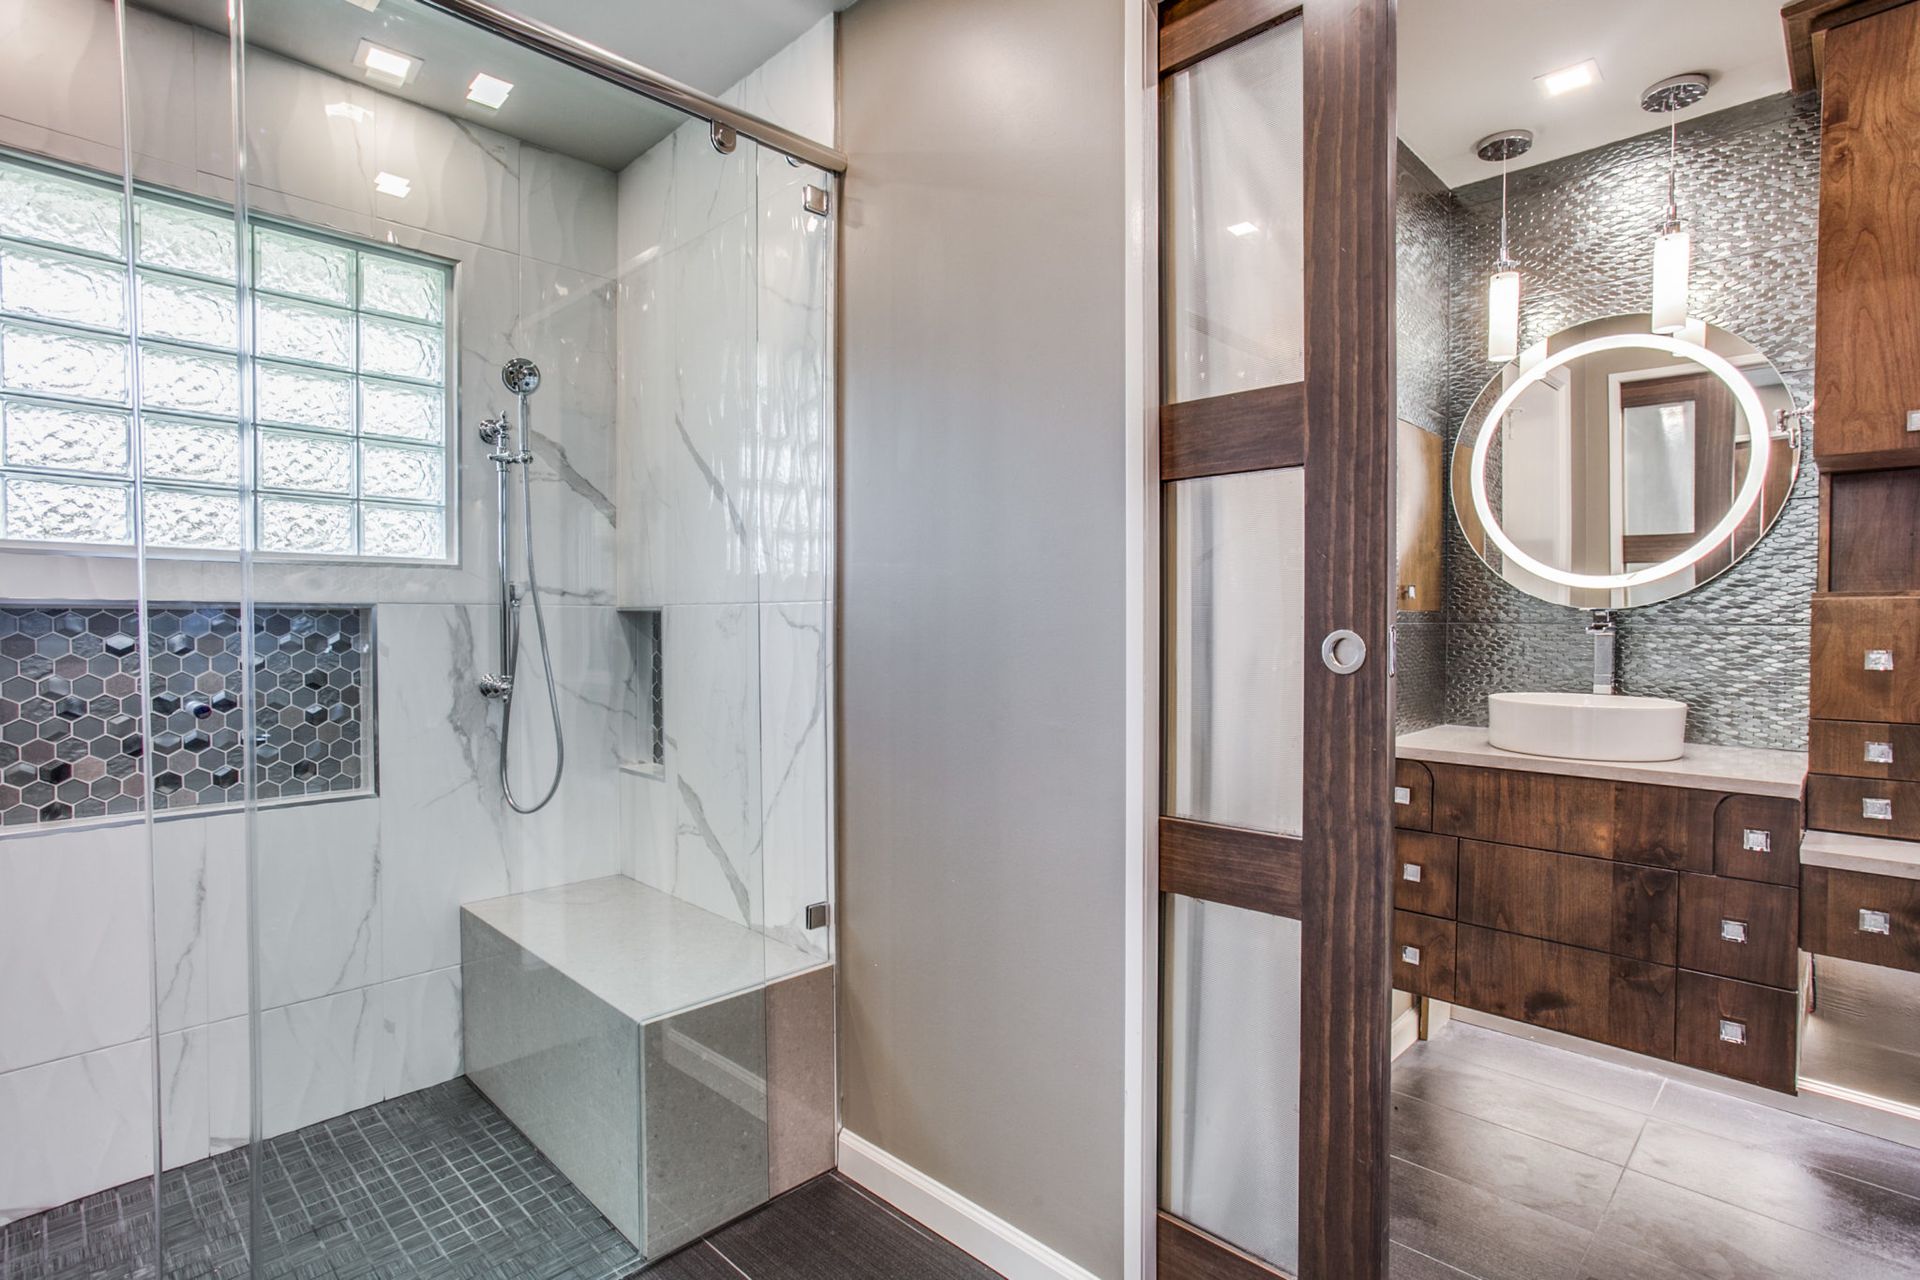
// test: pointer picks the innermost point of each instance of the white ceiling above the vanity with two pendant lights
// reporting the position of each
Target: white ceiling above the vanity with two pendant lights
(1468, 70)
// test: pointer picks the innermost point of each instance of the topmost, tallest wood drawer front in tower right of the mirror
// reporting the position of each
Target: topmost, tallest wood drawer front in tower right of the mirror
(1865, 659)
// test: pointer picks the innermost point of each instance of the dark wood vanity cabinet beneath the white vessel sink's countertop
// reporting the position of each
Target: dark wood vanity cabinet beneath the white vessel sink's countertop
(1660, 920)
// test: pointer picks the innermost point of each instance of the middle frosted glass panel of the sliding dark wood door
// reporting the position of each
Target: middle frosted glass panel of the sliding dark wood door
(1236, 650)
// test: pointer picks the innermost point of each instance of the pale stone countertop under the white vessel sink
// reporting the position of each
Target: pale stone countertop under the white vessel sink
(1742, 770)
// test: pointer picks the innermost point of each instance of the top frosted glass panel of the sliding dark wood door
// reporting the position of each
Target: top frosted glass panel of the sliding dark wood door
(1236, 220)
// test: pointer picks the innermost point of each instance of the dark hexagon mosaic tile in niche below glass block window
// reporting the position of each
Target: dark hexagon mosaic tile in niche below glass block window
(72, 744)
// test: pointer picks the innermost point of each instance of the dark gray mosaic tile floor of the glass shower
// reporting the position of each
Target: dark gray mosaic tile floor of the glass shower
(433, 1185)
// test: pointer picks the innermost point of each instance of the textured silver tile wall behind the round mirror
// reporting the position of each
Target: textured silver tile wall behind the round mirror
(1583, 231)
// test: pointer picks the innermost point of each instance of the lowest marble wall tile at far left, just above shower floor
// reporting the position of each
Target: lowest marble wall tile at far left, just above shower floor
(76, 1126)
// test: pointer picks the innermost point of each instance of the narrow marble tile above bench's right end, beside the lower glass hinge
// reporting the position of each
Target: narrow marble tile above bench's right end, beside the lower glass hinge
(796, 673)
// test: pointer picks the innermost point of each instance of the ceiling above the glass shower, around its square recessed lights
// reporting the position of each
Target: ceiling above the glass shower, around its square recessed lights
(708, 45)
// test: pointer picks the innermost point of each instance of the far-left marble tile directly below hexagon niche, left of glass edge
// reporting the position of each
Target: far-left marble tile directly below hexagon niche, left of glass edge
(74, 943)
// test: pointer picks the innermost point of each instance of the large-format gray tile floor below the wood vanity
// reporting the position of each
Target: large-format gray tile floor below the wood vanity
(1524, 1162)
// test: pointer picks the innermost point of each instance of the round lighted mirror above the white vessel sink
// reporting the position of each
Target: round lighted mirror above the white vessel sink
(1616, 467)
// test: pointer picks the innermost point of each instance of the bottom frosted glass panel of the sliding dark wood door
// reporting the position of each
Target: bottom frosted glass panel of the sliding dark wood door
(1232, 1076)
